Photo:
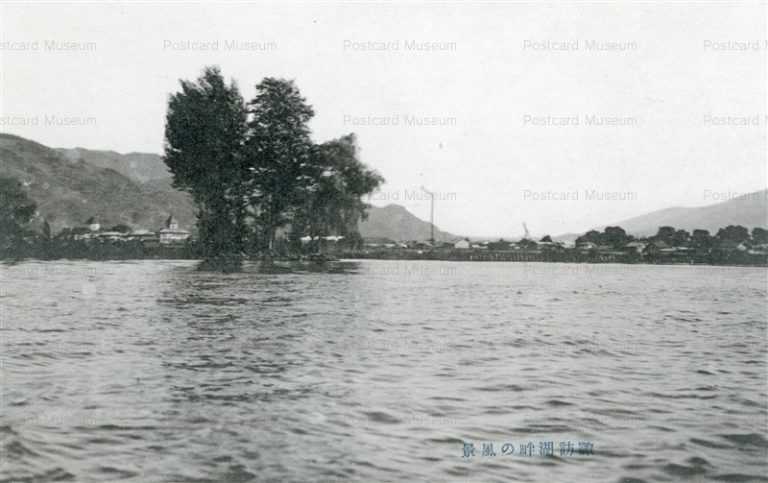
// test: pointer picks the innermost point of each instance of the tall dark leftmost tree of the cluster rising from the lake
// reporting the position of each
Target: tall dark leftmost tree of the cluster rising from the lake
(205, 132)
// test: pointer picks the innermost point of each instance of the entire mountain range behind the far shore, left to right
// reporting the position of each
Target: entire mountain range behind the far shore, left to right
(71, 185)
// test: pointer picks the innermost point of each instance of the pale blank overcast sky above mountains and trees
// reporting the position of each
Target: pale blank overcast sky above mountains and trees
(500, 116)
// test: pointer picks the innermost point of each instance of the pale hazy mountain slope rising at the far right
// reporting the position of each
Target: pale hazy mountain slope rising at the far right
(749, 210)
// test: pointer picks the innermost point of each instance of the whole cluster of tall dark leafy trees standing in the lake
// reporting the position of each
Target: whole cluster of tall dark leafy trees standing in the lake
(253, 169)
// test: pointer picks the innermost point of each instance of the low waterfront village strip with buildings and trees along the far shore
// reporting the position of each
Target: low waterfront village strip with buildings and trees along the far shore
(730, 245)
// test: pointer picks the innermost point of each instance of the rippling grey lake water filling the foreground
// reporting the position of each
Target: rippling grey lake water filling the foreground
(383, 371)
